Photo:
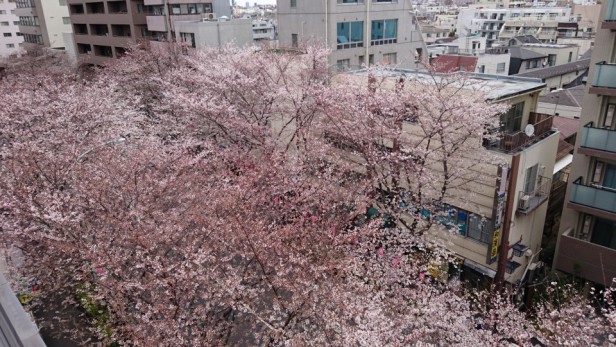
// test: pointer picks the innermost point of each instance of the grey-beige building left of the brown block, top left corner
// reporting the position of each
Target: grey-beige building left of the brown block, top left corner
(42, 23)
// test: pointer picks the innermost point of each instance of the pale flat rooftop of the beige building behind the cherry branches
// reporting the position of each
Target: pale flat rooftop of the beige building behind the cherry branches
(495, 87)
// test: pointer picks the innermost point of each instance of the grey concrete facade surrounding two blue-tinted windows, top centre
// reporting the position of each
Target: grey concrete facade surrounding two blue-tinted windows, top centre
(311, 21)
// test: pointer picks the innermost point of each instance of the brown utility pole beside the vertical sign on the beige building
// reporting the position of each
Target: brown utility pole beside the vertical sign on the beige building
(503, 255)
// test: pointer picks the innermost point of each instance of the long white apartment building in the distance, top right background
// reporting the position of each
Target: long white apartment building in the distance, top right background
(490, 23)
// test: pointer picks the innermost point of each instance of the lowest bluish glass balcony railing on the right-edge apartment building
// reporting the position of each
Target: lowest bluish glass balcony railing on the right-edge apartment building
(593, 196)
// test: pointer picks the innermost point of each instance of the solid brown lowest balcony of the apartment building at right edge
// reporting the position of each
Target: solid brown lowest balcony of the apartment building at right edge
(585, 259)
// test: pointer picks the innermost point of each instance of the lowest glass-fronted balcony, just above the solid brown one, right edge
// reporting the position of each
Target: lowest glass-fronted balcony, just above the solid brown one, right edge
(593, 199)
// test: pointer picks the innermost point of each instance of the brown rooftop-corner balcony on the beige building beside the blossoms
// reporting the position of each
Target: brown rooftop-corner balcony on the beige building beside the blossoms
(514, 142)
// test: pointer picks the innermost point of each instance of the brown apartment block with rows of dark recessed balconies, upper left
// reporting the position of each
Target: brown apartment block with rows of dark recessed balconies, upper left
(103, 29)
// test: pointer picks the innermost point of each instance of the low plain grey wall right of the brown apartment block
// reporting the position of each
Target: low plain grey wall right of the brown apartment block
(217, 33)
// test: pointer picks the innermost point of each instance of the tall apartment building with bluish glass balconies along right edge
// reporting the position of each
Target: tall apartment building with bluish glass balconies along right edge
(587, 242)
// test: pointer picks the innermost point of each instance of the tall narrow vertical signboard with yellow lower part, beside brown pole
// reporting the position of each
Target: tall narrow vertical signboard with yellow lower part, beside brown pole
(497, 213)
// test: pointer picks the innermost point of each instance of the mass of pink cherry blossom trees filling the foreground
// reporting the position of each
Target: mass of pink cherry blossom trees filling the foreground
(202, 198)
